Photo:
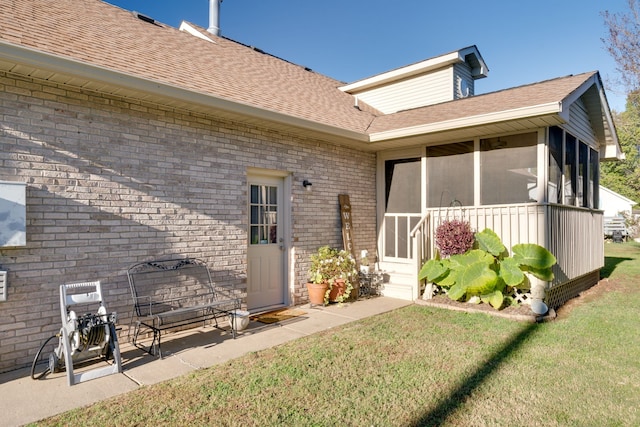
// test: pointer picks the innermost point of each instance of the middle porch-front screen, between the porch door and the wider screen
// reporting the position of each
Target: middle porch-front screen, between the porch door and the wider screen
(450, 175)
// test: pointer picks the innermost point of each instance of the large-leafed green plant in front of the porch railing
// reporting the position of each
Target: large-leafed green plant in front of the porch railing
(486, 272)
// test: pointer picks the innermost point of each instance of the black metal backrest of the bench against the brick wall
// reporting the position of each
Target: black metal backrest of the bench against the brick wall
(159, 286)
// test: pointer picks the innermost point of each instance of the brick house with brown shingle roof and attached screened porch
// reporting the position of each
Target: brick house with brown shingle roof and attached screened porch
(134, 140)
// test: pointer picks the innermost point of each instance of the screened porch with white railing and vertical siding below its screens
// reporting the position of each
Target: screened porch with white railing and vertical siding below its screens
(536, 187)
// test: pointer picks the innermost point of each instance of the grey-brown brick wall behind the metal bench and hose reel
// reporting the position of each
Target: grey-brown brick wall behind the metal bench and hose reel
(112, 181)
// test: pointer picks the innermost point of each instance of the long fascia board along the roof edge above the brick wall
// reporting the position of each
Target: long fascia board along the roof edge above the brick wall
(46, 61)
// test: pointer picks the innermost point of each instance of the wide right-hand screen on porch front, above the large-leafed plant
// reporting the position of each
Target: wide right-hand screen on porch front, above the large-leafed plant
(508, 169)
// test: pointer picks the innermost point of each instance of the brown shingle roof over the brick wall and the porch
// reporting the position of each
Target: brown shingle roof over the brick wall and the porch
(98, 33)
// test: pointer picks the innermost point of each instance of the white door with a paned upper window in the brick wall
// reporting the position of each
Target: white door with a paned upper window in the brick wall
(265, 269)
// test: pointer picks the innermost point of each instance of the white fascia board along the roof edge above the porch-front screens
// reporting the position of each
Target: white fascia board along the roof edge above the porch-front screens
(464, 122)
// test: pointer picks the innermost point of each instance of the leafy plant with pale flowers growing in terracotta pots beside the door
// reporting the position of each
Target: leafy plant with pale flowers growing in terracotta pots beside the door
(329, 264)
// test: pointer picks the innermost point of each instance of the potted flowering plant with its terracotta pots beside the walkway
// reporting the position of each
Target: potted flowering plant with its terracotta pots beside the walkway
(334, 270)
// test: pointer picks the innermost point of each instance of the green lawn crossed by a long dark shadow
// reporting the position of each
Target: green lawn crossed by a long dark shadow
(422, 366)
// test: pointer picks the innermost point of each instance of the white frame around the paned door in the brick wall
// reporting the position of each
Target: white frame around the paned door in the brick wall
(287, 273)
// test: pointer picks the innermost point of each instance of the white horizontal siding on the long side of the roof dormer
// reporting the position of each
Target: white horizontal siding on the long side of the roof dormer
(414, 92)
